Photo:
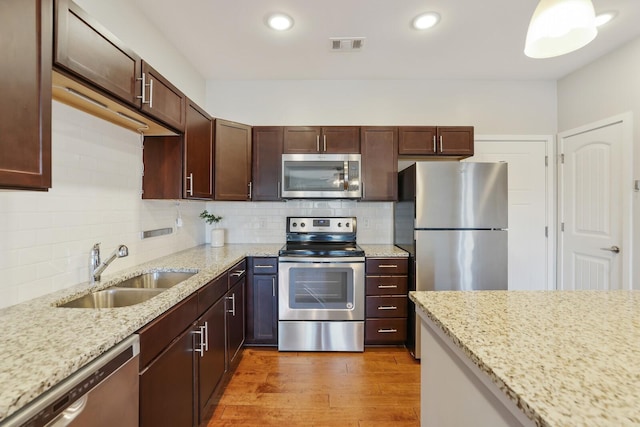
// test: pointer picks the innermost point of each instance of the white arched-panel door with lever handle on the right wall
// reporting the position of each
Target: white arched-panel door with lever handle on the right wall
(592, 199)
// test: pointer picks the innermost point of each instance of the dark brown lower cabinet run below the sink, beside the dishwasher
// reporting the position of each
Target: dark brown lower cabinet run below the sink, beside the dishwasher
(188, 354)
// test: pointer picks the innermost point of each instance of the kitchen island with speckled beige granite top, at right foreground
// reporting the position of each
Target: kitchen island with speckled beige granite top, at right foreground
(546, 358)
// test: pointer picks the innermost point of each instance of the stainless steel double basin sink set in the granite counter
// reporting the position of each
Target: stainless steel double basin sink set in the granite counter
(134, 290)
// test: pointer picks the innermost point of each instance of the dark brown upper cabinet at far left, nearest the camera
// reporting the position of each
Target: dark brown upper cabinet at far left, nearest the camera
(25, 104)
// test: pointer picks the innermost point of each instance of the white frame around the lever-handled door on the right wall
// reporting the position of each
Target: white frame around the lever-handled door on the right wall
(626, 119)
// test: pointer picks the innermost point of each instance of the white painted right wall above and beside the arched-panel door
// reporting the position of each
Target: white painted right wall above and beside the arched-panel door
(605, 88)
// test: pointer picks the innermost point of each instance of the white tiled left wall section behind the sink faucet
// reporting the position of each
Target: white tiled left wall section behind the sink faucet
(46, 237)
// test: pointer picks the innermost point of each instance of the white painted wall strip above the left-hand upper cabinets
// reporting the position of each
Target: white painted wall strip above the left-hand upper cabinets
(130, 25)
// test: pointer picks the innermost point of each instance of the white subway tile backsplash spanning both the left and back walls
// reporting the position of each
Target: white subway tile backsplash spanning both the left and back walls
(46, 237)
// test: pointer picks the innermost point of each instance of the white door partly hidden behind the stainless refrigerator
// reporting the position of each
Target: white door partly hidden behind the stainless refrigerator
(530, 252)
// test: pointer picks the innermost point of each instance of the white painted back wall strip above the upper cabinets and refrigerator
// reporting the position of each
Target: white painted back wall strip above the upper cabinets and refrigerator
(493, 107)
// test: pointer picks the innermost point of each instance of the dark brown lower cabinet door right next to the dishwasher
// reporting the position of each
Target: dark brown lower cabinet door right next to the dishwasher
(166, 386)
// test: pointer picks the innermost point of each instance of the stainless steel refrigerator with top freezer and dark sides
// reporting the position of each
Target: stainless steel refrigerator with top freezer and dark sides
(452, 219)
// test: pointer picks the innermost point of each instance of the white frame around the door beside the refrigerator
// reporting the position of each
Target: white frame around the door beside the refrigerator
(551, 198)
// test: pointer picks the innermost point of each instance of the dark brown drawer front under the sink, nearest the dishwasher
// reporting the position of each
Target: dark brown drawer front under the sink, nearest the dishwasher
(162, 331)
